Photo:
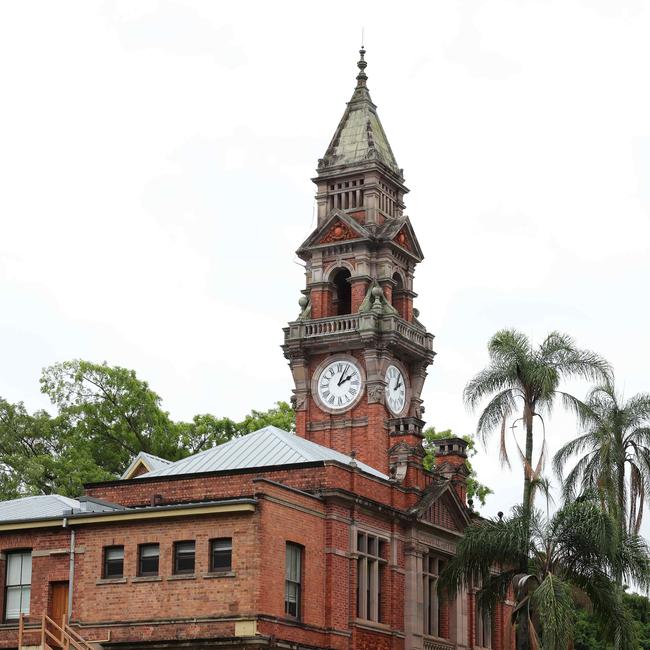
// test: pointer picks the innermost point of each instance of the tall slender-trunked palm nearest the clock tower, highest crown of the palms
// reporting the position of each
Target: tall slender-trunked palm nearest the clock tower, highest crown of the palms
(522, 379)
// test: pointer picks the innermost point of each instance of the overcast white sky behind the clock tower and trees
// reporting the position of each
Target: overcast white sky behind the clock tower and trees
(155, 159)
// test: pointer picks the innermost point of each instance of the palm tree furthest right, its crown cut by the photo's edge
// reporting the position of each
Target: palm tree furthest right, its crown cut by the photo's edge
(615, 450)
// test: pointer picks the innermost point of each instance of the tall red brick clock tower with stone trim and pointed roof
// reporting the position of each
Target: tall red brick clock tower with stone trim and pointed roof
(357, 352)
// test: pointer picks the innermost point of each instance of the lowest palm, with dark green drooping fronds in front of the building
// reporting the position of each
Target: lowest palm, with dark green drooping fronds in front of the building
(568, 554)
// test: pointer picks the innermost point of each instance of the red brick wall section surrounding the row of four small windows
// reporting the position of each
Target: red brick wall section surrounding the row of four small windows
(168, 597)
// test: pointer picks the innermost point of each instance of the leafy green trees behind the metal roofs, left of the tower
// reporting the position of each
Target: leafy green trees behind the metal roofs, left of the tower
(106, 415)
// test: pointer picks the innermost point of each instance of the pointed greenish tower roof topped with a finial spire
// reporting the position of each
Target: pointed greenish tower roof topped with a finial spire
(360, 137)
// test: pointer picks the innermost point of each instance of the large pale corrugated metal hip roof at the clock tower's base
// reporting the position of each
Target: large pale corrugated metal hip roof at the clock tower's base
(264, 448)
